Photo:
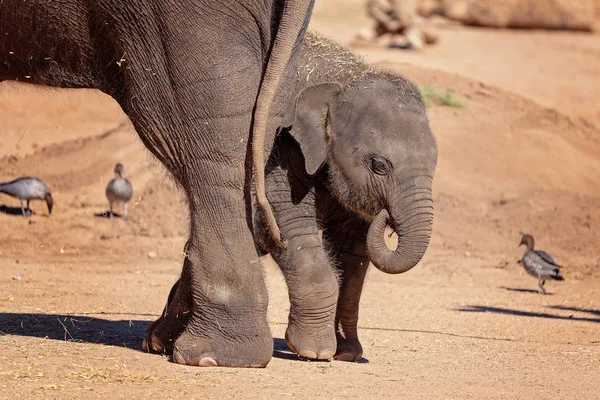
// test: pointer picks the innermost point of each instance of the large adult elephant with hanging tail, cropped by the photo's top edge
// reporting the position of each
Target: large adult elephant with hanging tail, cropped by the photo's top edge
(195, 78)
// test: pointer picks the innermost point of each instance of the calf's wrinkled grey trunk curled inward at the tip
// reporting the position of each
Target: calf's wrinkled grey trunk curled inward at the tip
(412, 220)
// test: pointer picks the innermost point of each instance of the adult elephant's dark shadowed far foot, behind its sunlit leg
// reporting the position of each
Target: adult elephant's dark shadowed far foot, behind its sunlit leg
(163, 333)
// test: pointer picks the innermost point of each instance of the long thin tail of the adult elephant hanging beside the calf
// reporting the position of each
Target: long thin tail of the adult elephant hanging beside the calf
(292, 22)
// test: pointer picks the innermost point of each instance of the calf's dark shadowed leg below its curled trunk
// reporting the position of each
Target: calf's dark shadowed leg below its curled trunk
(347, 237)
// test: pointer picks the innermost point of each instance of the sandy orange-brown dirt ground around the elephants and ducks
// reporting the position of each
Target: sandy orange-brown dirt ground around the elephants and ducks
(77, 290)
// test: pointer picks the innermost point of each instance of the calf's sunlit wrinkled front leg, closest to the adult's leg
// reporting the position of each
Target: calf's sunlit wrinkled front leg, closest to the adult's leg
(312, 284)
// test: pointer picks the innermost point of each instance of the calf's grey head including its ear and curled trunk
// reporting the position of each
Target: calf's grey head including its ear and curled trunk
(374, 136)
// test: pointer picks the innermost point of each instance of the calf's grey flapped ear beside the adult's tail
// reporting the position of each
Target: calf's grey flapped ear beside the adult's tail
(306, 120)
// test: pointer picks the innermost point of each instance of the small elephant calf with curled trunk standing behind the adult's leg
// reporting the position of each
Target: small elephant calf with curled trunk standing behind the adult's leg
(356, 155)
